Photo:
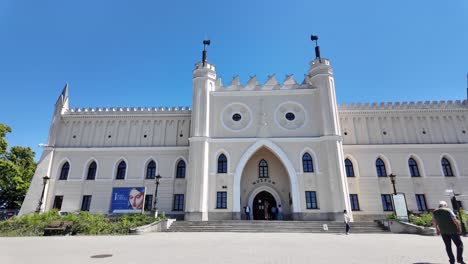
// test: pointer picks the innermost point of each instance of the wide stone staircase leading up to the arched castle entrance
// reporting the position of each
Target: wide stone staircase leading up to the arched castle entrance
(273, 226)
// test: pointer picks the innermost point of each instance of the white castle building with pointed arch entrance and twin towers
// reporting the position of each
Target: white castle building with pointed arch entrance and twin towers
(287, 144)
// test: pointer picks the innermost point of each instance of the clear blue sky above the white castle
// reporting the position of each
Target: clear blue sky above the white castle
(142, 53)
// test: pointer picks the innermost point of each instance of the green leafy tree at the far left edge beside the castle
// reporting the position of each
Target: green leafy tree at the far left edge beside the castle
(17, 167)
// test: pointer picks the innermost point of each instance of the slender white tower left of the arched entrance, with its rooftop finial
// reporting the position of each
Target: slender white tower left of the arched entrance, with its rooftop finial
(204, 77)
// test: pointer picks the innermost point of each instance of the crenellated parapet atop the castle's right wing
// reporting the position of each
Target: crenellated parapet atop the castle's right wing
(404, 105)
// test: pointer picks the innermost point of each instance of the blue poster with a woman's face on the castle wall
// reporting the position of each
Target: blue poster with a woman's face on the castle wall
(127, 200)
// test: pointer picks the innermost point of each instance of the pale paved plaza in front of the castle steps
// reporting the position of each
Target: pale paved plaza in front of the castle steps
(226, 248)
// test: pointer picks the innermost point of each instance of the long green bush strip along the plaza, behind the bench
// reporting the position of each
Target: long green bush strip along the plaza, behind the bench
(84, 223)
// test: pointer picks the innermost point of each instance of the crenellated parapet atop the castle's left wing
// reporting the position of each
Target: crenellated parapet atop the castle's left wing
(128, 110)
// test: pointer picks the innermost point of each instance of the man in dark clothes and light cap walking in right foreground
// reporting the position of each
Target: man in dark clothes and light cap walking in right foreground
(449, 227)
